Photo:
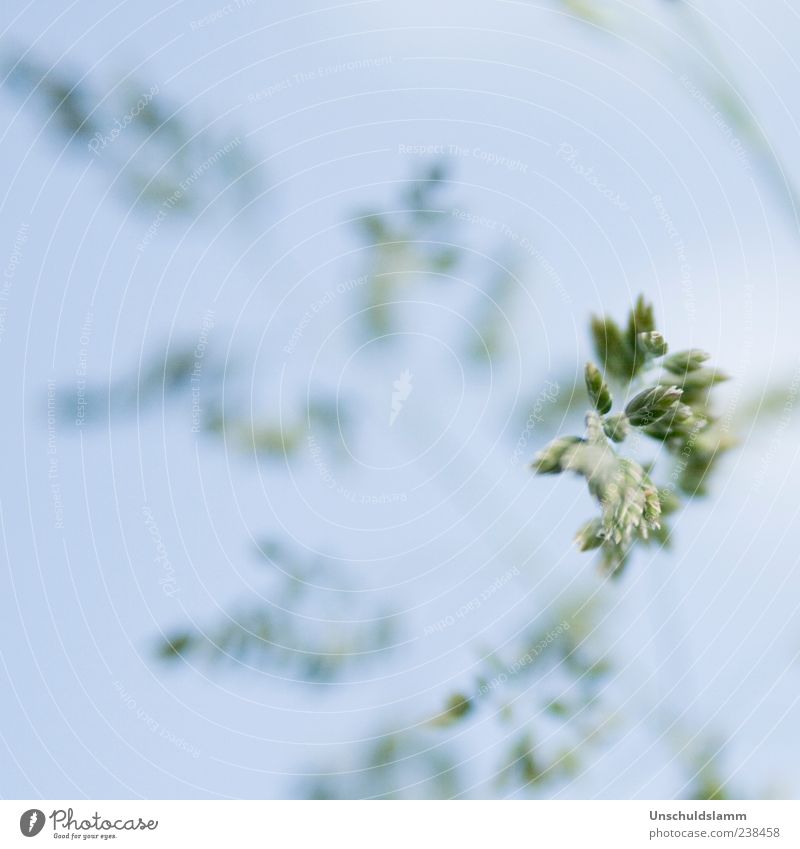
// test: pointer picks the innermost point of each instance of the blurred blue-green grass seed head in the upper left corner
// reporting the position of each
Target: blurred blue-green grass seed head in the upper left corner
(156, 152)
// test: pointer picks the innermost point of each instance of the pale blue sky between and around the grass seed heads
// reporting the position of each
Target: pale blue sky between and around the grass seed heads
(710, 629)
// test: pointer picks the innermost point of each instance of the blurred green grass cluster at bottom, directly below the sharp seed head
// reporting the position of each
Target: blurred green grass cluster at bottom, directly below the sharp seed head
(544, 705)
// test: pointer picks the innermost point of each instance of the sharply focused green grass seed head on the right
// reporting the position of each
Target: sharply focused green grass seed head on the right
(667, 400)
